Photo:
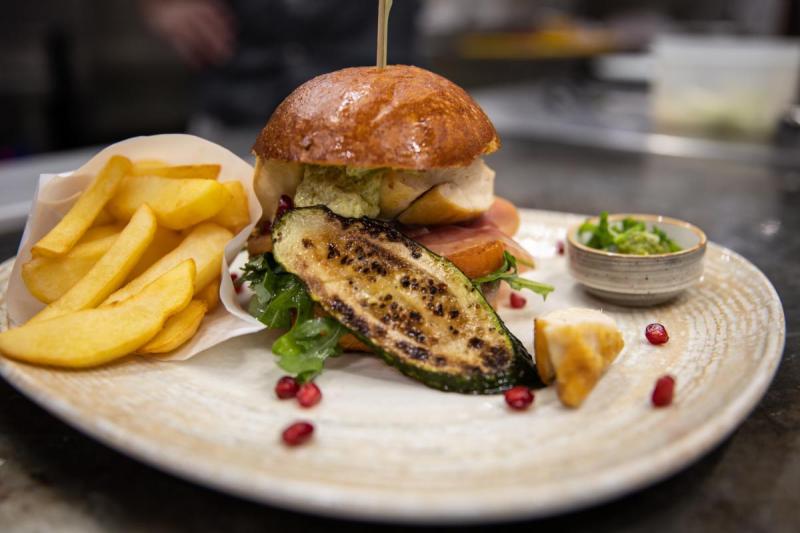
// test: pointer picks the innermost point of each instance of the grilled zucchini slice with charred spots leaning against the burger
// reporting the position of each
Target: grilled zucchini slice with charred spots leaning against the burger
(412, 307)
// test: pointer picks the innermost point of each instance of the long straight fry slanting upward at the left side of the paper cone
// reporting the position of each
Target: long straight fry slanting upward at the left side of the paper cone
(80, 217)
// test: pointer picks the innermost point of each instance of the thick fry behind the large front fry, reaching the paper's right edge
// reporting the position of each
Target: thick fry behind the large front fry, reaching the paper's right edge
(205, 244)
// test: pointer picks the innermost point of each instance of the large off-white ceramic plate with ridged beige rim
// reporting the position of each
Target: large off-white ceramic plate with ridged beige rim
(388, 448)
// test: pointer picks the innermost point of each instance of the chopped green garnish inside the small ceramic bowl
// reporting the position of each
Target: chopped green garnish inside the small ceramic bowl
(628, 236)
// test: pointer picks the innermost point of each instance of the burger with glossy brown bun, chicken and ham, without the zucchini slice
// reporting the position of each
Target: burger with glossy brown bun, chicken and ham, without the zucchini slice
(398, 144)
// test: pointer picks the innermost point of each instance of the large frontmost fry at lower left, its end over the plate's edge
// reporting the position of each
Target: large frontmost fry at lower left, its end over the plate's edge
(95, 336)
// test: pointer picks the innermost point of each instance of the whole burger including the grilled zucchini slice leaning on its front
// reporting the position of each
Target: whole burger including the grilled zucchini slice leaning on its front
(376, 176)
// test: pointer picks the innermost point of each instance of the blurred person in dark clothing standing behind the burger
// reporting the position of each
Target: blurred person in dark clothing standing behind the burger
(250, 54)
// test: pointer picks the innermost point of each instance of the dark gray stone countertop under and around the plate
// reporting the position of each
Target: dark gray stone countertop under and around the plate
(53, 478)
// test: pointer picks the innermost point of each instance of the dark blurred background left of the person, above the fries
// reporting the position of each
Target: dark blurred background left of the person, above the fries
(78, 72)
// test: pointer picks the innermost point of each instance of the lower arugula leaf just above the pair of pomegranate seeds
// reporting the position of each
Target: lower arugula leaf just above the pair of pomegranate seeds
(304, 348)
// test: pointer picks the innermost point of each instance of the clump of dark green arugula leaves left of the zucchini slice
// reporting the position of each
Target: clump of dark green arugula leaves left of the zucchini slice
(281, 301)
